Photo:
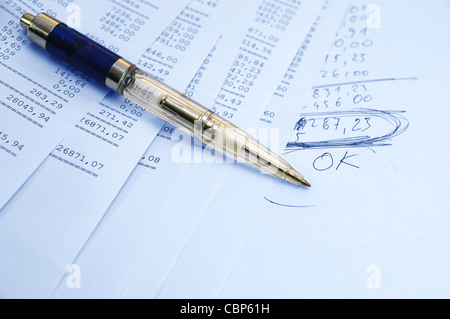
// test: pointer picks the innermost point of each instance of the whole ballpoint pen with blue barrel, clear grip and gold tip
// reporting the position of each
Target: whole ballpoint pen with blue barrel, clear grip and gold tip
(172, 106)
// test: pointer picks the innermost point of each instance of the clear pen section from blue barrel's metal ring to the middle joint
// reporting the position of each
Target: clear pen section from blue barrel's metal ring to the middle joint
(163, 101)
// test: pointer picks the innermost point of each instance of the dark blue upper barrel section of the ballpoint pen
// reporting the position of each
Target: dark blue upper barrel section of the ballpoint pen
(76, 49)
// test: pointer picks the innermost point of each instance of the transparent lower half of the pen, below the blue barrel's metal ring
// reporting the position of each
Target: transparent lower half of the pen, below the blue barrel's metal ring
(200, 122)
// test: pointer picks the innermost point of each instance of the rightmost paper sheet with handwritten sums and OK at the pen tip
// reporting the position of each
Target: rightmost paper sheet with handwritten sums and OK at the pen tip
(374, 224)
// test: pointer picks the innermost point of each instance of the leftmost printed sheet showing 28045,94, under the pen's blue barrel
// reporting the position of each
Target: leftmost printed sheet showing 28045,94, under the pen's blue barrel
(40, 105)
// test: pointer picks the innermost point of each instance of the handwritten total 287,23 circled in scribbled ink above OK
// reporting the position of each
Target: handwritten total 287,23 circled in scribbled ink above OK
(349, 128)
